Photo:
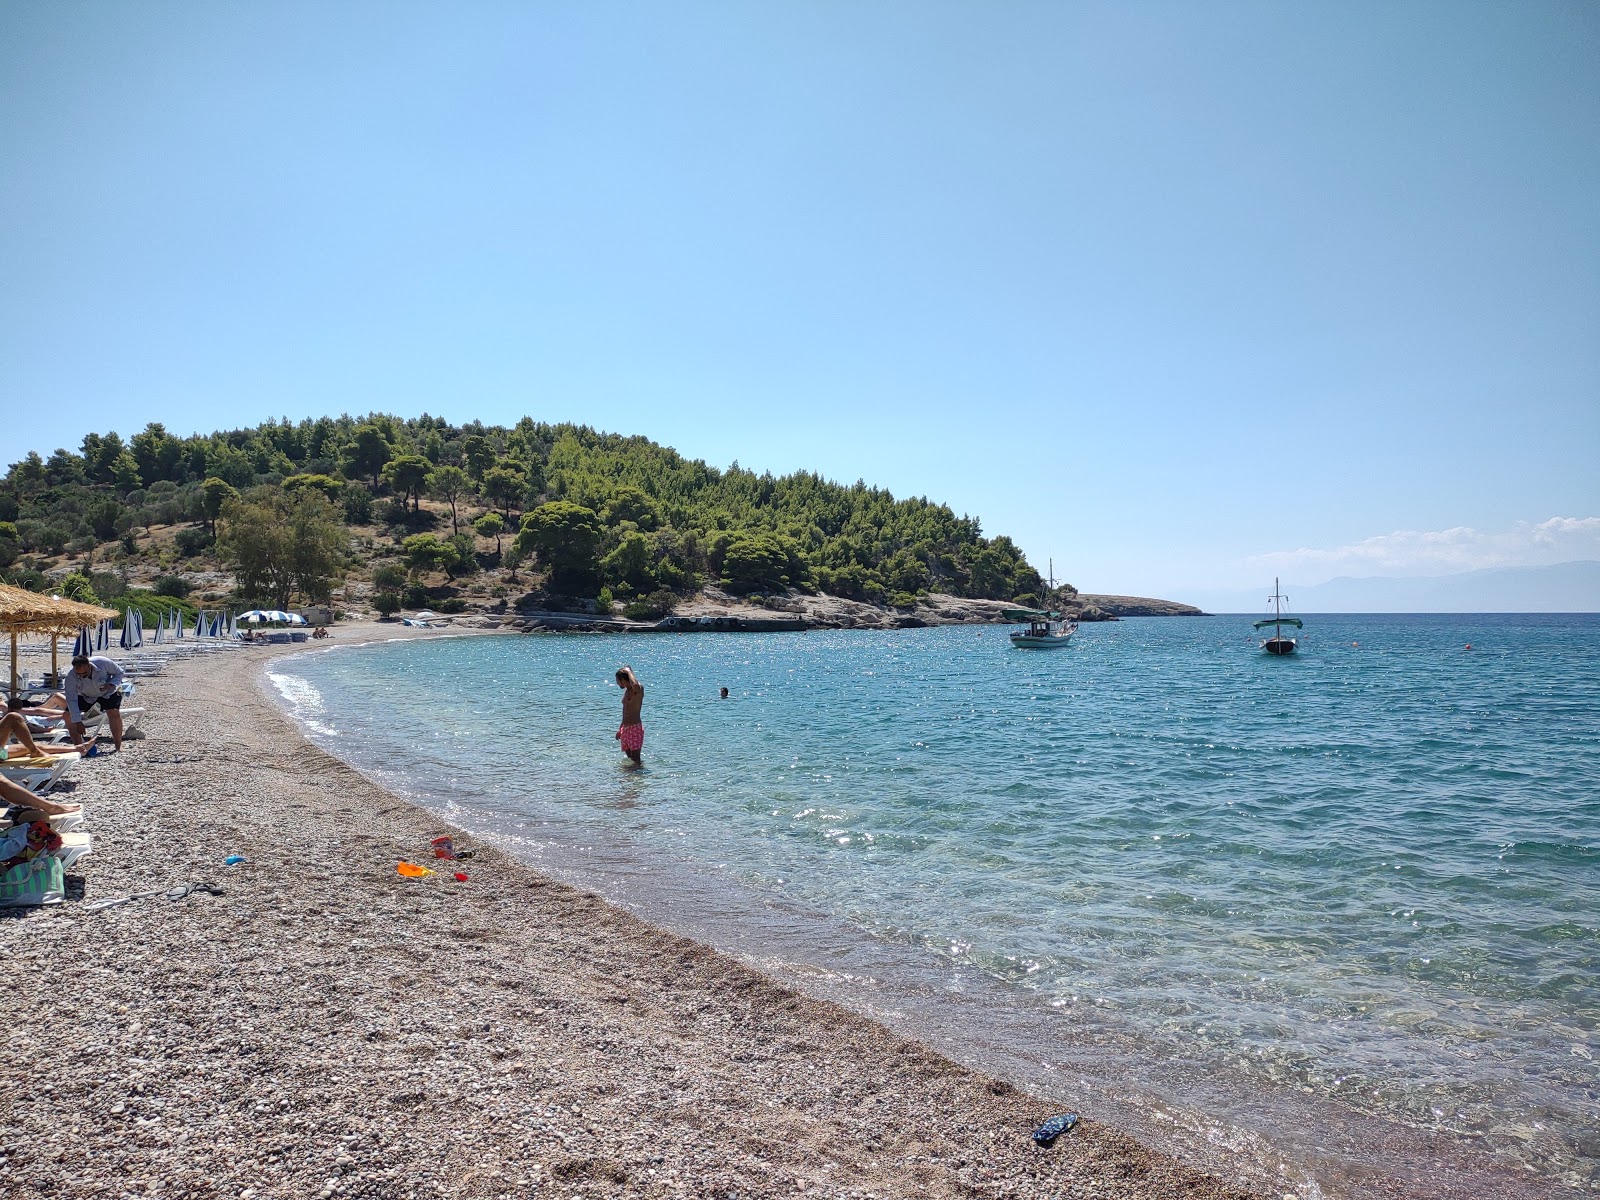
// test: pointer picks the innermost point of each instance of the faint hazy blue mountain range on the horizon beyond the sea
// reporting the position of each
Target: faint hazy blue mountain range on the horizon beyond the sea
(1564, 588)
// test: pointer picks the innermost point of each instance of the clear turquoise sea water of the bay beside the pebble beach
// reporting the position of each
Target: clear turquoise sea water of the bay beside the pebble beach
(1370, 871)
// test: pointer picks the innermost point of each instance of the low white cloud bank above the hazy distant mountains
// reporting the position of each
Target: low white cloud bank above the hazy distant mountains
(1418, 553)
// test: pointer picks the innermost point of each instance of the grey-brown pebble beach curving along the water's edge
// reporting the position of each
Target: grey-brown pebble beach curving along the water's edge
(332, 1030)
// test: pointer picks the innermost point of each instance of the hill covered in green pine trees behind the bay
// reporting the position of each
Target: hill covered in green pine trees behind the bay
(292, 510)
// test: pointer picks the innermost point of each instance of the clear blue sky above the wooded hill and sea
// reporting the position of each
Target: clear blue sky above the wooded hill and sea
(1178, 295)
